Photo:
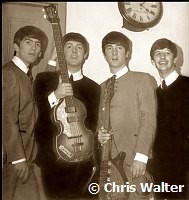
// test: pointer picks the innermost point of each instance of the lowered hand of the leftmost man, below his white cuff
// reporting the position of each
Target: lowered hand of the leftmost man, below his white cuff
(22, 171)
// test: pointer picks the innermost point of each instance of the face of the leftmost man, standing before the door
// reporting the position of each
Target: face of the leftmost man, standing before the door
(29, 50)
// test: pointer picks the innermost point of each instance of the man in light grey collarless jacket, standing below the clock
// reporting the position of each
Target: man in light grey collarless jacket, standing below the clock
(132, 110)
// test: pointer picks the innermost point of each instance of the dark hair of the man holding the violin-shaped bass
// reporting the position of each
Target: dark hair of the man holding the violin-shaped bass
(76, 37)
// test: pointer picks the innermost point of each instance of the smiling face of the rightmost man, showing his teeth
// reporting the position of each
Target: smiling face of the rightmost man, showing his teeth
(164, 60)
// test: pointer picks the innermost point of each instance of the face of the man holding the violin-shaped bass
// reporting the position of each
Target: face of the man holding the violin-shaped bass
(74, 54)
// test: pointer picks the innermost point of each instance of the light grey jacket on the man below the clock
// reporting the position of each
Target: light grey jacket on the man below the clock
(132, 114)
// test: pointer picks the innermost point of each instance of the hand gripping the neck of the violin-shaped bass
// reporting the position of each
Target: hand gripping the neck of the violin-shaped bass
(63, 89)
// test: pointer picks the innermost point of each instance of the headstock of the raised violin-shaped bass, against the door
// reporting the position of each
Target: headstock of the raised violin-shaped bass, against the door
(51, 13)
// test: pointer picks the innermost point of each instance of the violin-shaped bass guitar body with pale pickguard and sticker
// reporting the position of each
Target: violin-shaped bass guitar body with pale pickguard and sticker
(74, 143)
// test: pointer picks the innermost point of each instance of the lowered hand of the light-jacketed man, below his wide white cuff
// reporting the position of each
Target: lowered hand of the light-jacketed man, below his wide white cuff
(138, 169)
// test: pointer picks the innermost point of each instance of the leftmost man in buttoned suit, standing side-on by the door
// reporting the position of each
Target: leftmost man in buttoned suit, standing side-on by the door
(19, 116)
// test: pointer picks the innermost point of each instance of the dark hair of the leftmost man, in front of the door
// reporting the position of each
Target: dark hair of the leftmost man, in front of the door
(32, 32)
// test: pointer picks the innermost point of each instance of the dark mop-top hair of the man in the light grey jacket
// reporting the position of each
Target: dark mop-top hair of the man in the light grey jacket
(115, 37)
